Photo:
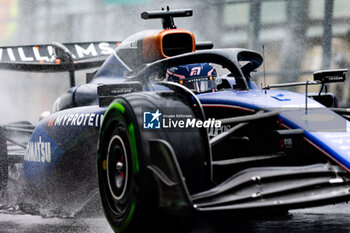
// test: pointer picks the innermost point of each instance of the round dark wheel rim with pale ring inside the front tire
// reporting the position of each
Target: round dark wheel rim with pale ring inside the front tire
(117, 169)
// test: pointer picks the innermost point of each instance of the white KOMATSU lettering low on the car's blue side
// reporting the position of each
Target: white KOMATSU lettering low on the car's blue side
(39, 151)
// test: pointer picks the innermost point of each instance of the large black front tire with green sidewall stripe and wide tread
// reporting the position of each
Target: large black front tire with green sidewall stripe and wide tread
(128, 190)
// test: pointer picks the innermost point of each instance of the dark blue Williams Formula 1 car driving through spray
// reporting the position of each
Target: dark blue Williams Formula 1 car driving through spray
(169, 146)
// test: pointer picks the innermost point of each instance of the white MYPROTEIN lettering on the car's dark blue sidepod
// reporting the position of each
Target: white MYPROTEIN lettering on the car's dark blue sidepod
(77, 119)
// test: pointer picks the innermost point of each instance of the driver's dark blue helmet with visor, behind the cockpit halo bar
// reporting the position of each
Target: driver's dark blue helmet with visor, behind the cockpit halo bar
(198, 78)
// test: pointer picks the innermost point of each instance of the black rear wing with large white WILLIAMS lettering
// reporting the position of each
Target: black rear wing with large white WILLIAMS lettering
(56, 57)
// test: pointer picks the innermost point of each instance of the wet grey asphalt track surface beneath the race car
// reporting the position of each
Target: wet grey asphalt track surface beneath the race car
(335, 218)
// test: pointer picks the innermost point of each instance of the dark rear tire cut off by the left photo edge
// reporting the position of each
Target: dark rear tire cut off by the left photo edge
(3, 164)
